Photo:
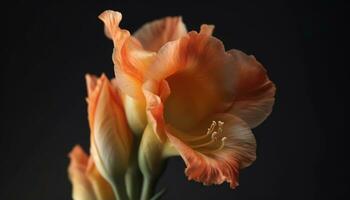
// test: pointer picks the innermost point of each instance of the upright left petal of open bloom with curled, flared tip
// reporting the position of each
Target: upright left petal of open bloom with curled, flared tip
(131, 61)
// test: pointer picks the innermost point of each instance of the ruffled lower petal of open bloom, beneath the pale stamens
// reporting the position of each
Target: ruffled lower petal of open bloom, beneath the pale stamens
(219, 157)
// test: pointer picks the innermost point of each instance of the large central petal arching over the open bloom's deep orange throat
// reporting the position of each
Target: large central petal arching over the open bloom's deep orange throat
(200, 75)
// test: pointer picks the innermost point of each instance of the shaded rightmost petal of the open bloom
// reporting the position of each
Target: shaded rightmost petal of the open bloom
(254, 91)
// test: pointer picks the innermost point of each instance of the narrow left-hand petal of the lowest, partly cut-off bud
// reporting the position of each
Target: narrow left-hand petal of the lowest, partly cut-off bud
(82, 188)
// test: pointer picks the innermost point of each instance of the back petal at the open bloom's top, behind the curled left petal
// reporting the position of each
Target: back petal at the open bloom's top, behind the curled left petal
(155, 34)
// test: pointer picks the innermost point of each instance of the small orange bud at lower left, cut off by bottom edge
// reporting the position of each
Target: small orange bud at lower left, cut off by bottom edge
(87, 182)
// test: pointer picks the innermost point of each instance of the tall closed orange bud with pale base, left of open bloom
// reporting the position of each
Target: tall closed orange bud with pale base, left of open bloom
(111, 139)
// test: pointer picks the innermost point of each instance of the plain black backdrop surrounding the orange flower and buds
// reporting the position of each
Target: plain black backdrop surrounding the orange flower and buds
(48, 47)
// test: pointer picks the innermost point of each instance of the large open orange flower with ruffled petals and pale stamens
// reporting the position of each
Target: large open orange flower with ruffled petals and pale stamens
(200, 100)
